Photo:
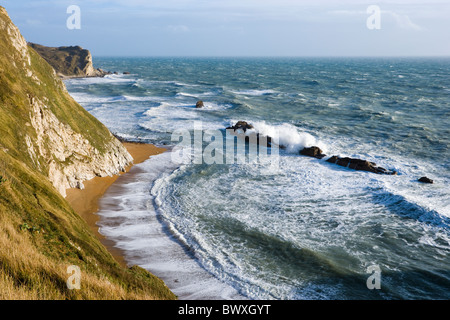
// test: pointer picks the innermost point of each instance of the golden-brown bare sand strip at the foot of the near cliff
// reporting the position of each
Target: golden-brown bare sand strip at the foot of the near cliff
(85, 202)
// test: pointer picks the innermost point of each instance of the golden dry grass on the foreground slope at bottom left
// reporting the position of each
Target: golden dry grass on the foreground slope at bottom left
(27, 272)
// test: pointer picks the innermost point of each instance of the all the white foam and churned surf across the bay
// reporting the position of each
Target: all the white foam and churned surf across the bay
(345, 219)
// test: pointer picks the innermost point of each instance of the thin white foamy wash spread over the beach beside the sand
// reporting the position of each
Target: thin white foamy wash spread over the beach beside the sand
(147, 243)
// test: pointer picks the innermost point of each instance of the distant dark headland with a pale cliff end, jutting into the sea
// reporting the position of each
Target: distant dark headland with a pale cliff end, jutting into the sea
(71, 61)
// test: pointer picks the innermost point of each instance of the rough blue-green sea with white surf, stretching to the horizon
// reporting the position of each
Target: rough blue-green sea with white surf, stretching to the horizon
(293, 227)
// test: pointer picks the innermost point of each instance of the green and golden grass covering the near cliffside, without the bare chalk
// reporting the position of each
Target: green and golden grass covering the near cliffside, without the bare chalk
(40, 235)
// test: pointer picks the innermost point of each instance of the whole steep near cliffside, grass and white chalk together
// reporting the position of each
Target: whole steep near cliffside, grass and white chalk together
(49, 143)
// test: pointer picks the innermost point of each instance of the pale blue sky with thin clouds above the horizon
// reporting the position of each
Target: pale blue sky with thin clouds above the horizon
(239, 27)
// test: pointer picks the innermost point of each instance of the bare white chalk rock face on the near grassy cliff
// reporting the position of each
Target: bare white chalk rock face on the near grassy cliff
(71, 158)
